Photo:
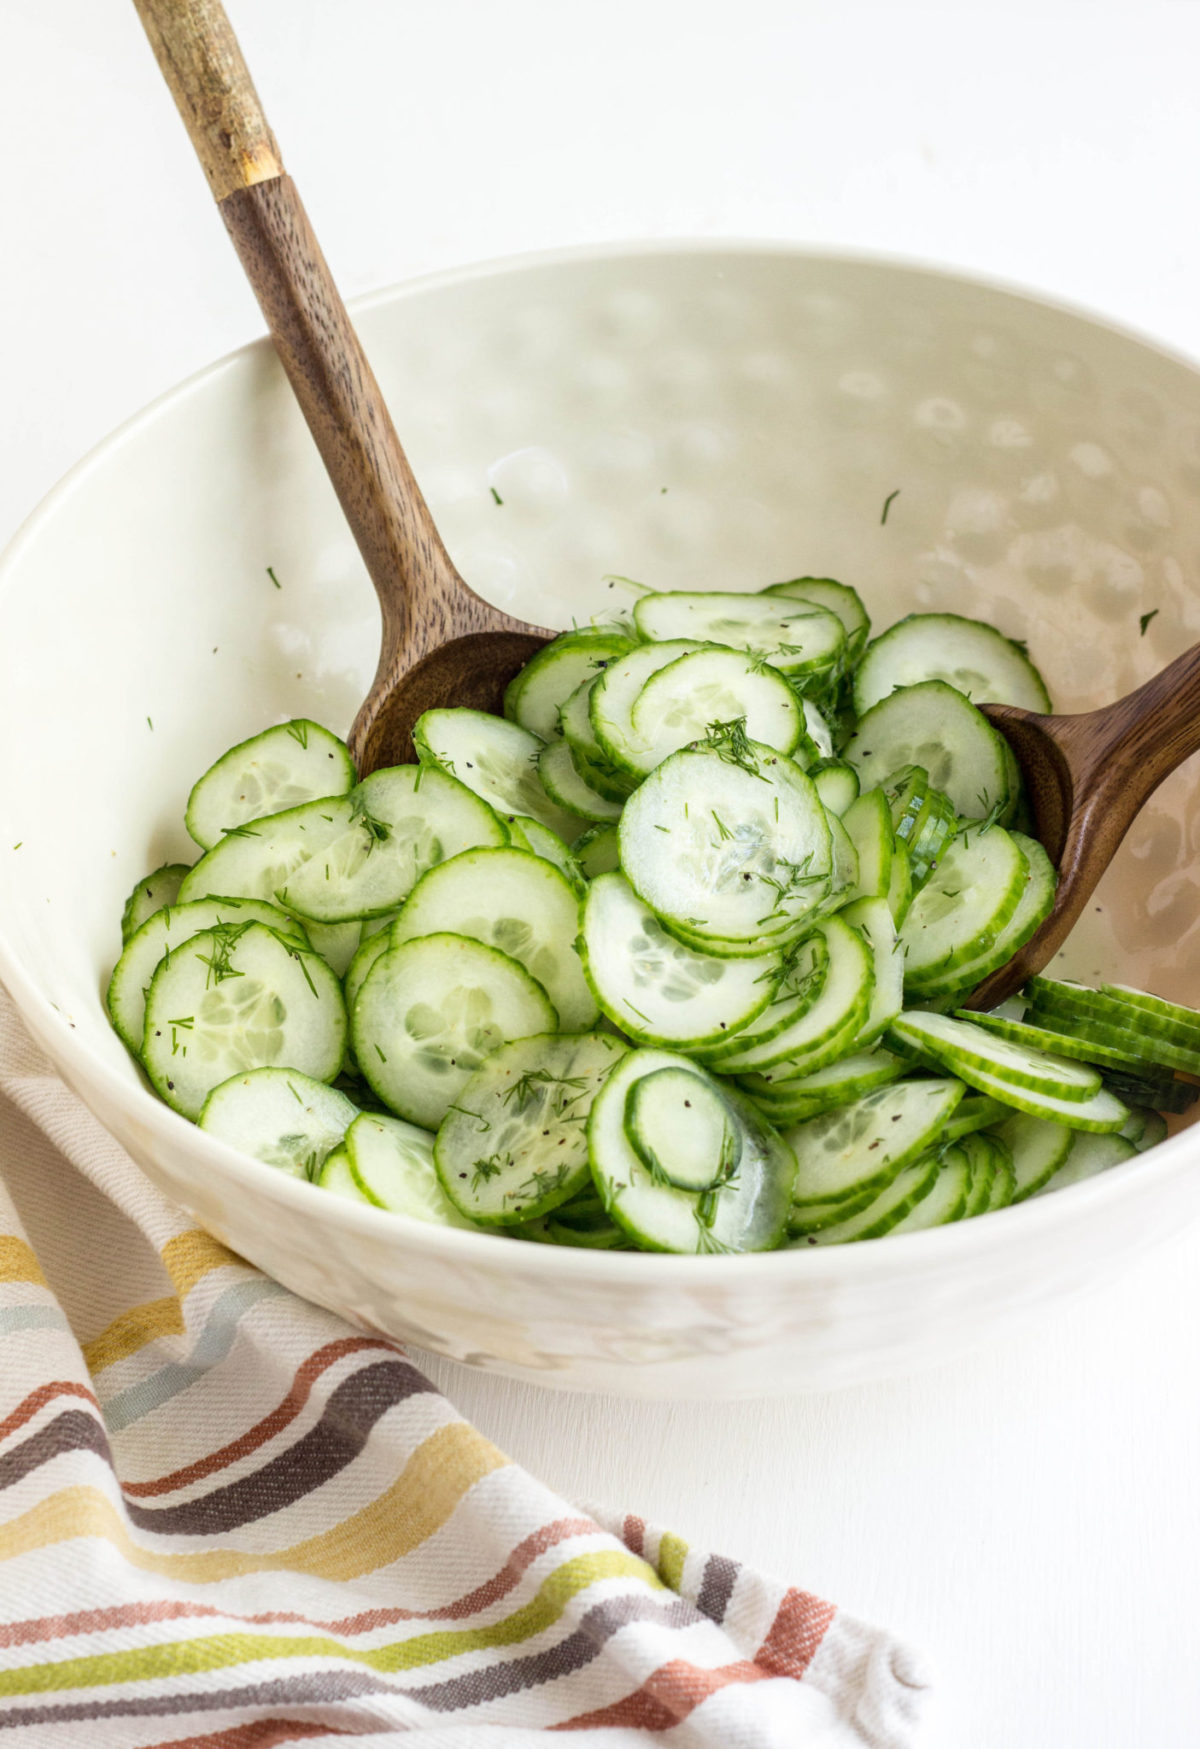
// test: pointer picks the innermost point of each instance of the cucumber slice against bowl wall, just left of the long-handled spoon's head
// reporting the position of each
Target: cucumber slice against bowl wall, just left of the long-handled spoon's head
(281, 769)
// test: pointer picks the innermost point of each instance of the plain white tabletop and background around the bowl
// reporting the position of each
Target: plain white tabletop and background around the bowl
(1031, 1517)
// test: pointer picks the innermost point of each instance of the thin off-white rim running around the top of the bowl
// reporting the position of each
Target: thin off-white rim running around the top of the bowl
(454, 1246)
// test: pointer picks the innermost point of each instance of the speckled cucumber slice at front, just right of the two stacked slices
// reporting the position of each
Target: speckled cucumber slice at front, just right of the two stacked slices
(869, 1143)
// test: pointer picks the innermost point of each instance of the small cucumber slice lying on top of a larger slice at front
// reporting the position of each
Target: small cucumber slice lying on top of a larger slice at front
(683, 1131)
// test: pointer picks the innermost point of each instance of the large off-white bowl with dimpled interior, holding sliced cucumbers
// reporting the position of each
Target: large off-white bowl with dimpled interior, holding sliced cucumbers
(701, 417)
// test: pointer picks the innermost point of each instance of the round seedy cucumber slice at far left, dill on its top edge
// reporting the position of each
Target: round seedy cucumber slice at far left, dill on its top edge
(241, 998)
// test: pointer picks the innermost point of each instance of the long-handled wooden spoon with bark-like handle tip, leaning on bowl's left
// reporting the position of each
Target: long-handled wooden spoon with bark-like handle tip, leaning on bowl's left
(442, 643)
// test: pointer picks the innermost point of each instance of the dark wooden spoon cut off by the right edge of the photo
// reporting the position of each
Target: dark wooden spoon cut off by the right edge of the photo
(1087, 779)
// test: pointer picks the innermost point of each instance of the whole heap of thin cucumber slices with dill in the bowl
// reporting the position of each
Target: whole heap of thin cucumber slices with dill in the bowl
(673, 956)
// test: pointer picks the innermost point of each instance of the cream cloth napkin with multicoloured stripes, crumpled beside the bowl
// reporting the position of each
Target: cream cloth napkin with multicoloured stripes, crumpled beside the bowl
(228, 1521)
